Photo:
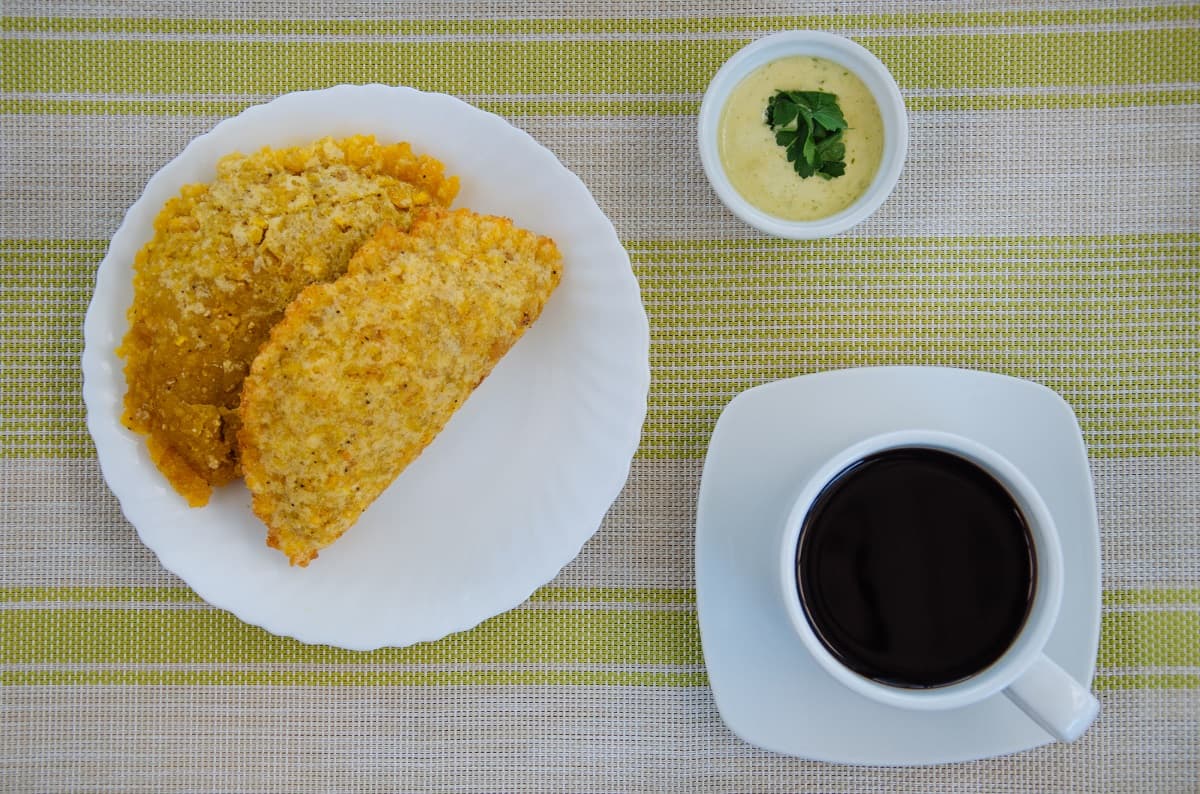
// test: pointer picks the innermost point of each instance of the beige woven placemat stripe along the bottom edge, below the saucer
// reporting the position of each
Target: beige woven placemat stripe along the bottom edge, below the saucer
(520, 739)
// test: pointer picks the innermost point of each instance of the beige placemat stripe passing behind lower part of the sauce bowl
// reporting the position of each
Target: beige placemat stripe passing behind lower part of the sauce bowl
(1049, 173)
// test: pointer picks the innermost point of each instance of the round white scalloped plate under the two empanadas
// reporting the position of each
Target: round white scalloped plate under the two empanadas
(513, 488)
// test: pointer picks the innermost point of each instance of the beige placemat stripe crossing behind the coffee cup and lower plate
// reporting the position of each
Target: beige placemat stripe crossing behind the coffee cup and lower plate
(67, 530)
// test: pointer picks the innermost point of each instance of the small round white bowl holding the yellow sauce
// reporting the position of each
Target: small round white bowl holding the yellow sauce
(836, 49)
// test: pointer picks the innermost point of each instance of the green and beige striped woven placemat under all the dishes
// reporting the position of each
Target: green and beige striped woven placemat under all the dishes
(1047, 226)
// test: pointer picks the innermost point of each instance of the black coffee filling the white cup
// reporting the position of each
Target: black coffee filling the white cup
(916, 568)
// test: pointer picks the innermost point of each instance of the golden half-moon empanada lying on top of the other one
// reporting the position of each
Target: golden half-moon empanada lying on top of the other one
(362, 374)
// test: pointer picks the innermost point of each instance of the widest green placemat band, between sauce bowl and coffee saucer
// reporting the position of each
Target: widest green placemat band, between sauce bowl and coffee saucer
(1107, 321)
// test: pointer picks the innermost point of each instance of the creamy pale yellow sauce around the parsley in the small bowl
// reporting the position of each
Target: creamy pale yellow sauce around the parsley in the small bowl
(759, 167)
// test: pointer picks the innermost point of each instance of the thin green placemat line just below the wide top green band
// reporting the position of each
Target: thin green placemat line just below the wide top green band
(520, 109)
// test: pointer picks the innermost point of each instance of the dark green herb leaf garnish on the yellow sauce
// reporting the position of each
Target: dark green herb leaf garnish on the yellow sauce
(809, 127)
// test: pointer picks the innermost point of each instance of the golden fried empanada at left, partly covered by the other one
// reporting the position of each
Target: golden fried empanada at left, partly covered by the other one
(225, 262)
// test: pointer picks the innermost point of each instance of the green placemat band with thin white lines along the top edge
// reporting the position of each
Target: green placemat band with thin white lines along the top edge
(557, 57)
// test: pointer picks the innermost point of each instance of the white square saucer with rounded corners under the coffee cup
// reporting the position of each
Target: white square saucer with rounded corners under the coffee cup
(769, 441)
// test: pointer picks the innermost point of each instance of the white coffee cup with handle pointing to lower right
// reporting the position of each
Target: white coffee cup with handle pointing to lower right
(1024, 673)
